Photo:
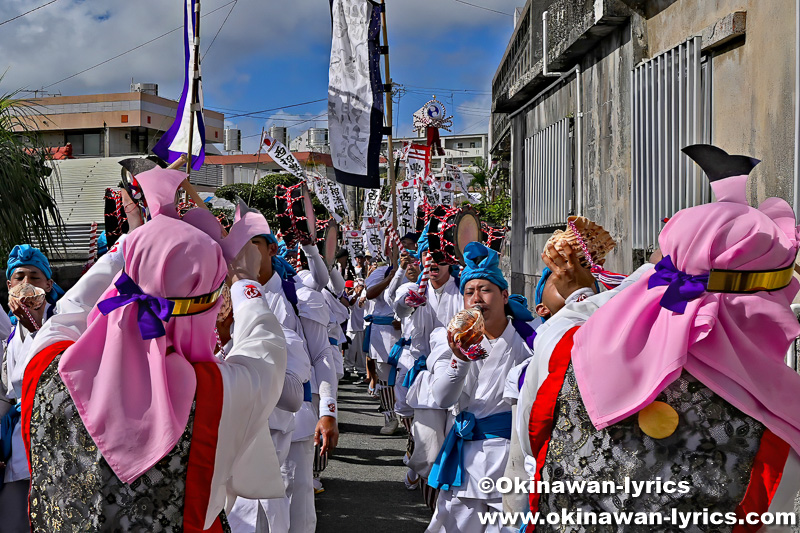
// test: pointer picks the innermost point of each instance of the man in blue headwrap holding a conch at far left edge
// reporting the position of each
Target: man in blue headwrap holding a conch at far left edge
(27, 268)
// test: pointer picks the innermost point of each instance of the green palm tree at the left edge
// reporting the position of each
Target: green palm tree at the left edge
(28, 212)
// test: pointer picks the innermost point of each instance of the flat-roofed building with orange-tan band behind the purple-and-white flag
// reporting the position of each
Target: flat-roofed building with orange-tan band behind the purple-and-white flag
(108, 125)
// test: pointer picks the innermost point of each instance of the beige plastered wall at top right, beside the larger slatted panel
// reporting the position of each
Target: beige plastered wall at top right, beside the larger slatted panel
(753, 83)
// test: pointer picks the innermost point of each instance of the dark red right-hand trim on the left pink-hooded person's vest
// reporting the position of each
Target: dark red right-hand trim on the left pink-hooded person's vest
(203, 450)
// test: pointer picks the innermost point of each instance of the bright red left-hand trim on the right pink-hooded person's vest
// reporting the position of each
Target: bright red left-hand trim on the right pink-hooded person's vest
(540, 425)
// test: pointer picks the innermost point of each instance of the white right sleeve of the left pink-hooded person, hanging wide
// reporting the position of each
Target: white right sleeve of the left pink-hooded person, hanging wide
(252, 375)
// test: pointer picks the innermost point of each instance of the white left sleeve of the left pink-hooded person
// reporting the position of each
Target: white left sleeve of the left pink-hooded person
(69, 321)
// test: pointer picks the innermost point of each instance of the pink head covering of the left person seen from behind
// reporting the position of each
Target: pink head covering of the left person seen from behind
(133, 396)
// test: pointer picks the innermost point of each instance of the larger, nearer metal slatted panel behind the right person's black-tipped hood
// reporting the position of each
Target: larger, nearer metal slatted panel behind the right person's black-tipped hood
(671, 95)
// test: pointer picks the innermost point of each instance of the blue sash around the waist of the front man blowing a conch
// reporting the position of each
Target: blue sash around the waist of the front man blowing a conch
(448, 469)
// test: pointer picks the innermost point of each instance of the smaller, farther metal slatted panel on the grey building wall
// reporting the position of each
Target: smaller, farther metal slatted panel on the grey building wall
(548, 175)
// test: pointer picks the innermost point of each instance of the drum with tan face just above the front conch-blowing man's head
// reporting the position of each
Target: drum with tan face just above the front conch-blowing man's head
(451, 229)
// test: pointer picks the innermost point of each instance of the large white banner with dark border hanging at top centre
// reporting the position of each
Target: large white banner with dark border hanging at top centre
(355, 92)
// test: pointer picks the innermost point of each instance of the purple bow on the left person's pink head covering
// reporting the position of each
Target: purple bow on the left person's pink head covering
(153, 311)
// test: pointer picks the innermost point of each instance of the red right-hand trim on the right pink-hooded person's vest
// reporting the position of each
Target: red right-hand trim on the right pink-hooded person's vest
(765, 477)
